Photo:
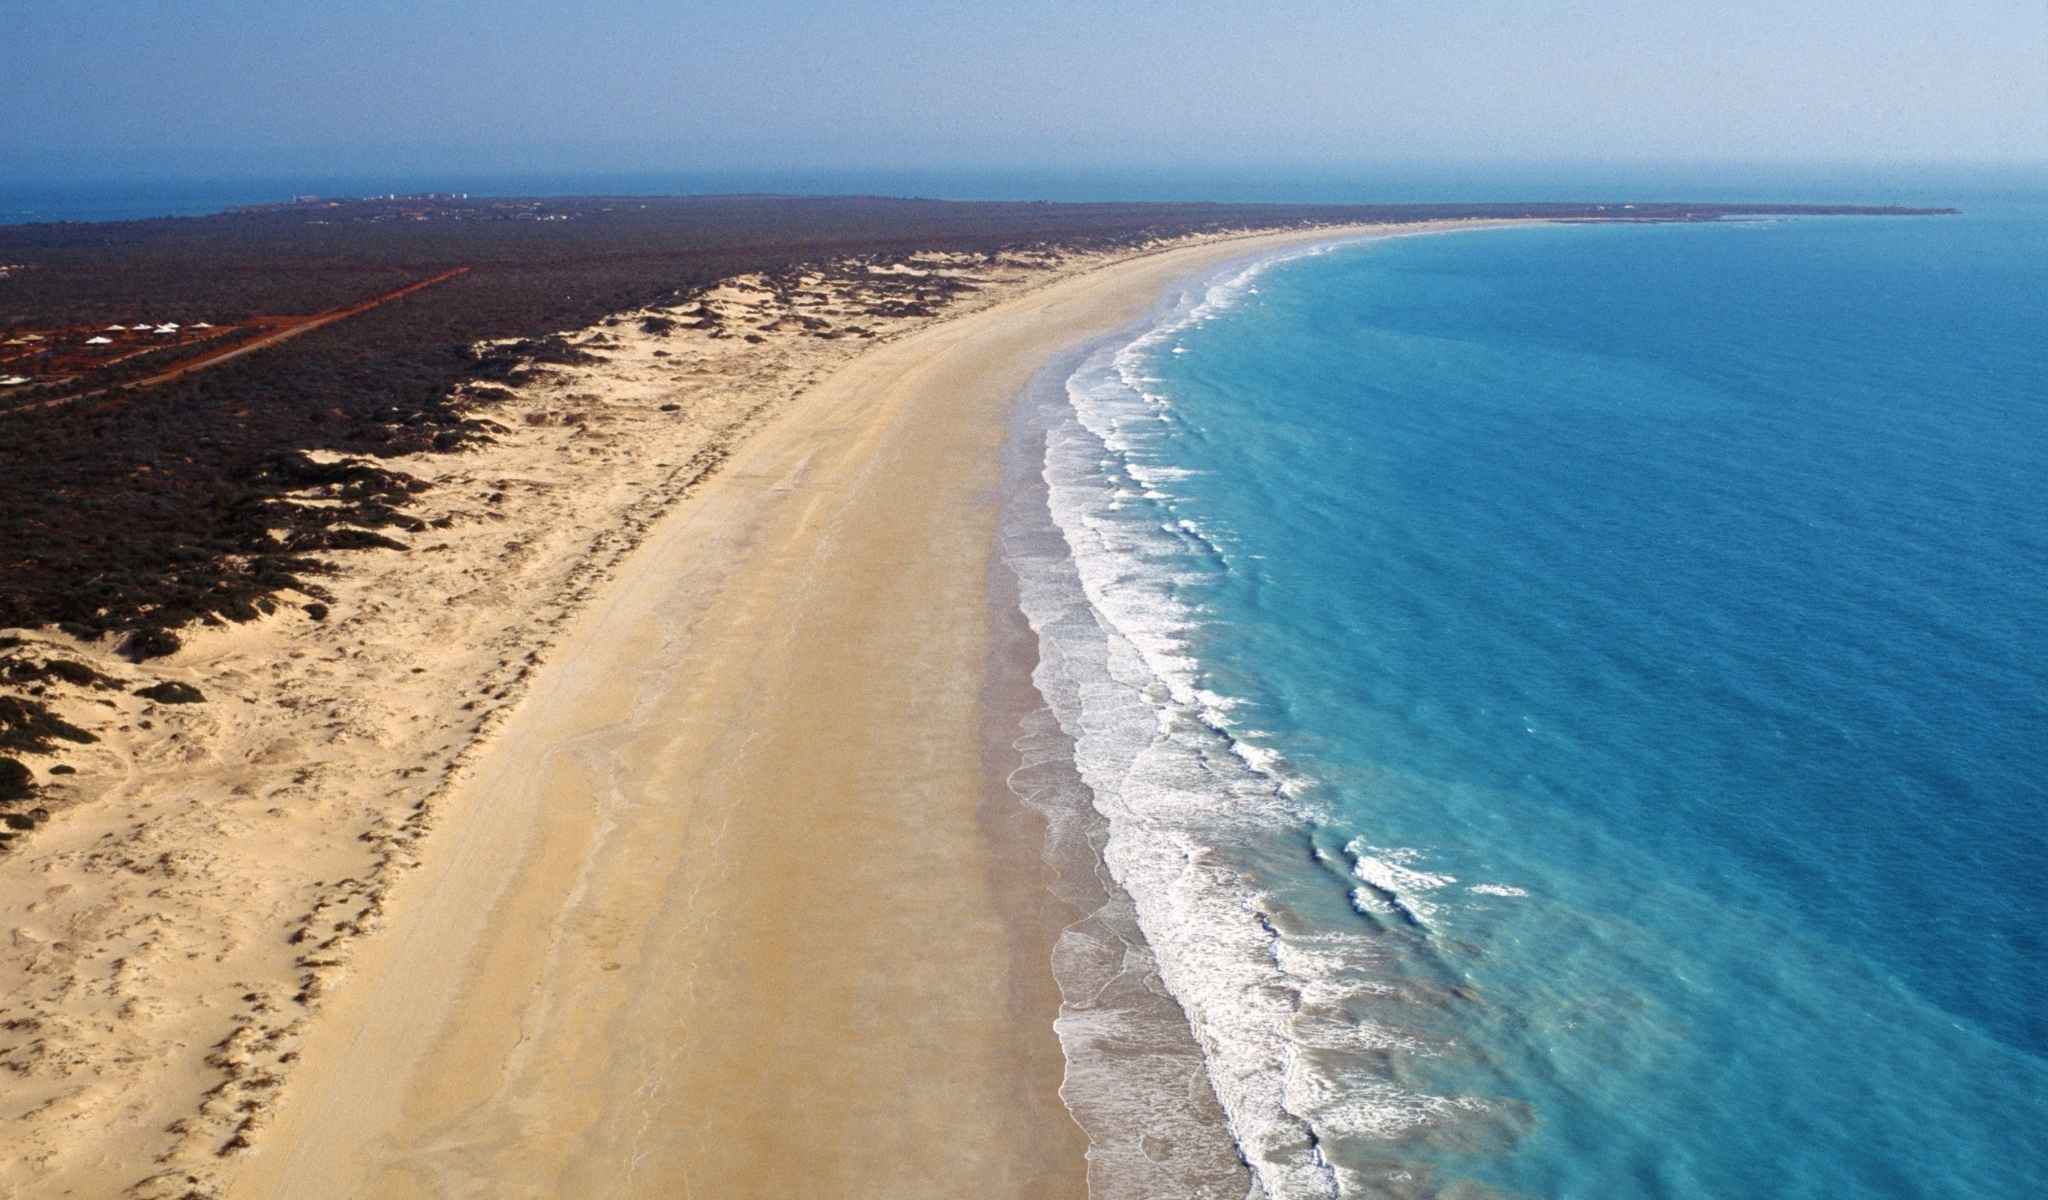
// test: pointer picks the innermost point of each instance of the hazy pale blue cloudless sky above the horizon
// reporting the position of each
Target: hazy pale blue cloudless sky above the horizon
(99, 91)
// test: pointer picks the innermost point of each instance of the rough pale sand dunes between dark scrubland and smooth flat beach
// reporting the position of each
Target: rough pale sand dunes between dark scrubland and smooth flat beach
(202, 875)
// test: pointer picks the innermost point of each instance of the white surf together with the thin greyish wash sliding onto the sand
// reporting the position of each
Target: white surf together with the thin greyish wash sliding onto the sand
(1191, 1025)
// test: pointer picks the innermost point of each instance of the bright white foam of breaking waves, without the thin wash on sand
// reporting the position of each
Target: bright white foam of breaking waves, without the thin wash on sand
(1183, 798)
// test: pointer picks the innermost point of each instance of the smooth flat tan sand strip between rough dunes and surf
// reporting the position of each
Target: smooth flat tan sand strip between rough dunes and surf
(730, 906)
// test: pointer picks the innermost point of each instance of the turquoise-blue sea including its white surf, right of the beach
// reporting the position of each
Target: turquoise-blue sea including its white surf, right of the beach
(1570, 705)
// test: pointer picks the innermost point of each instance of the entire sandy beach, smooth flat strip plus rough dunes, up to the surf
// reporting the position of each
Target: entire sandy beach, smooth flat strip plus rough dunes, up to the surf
(669, 800)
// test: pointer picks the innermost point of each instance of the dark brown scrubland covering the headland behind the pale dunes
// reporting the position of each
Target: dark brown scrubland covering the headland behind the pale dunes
(134, 513)
